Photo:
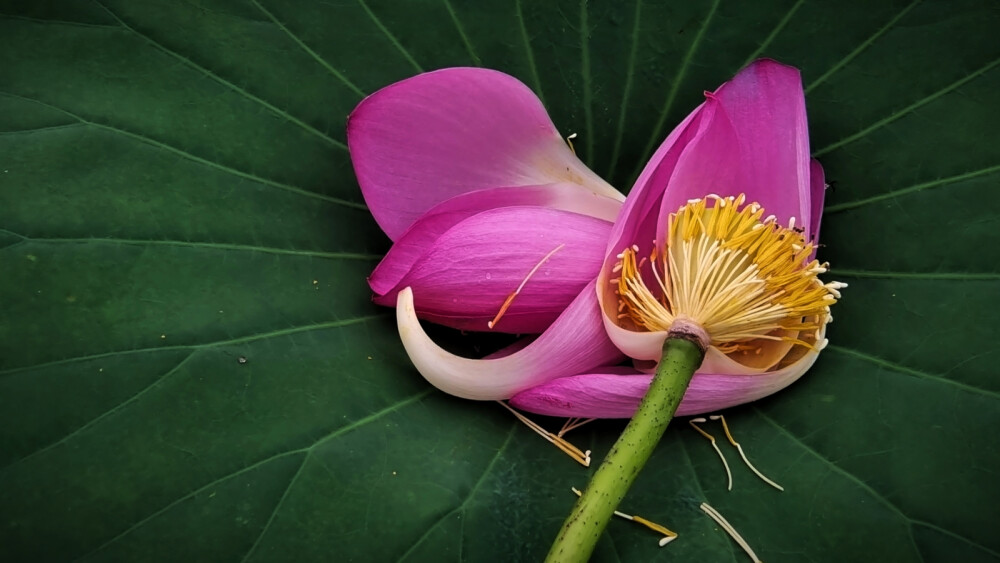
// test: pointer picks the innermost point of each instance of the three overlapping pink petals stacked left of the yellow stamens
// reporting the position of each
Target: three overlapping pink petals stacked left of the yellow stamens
(465, 172)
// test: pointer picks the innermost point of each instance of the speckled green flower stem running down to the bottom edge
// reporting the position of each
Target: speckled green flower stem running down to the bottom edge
(619, 469)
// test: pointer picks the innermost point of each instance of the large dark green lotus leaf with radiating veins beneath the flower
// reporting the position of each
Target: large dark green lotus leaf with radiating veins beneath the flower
(191, 368)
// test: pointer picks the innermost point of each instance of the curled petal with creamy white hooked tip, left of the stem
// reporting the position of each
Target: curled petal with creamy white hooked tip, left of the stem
(575, 343)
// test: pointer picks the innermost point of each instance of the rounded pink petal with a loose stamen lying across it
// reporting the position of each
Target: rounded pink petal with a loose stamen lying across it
(467, 273)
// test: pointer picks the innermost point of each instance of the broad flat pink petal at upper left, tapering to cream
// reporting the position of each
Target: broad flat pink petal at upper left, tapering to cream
(440, 134)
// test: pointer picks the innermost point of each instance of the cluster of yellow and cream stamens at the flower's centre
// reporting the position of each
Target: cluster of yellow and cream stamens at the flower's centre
(741, 276)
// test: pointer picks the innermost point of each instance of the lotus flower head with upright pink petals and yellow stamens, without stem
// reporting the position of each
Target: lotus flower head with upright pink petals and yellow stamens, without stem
(748, 280)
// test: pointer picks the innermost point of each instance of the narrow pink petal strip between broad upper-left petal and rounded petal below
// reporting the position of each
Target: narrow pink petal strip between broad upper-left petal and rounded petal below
(416, 241)
